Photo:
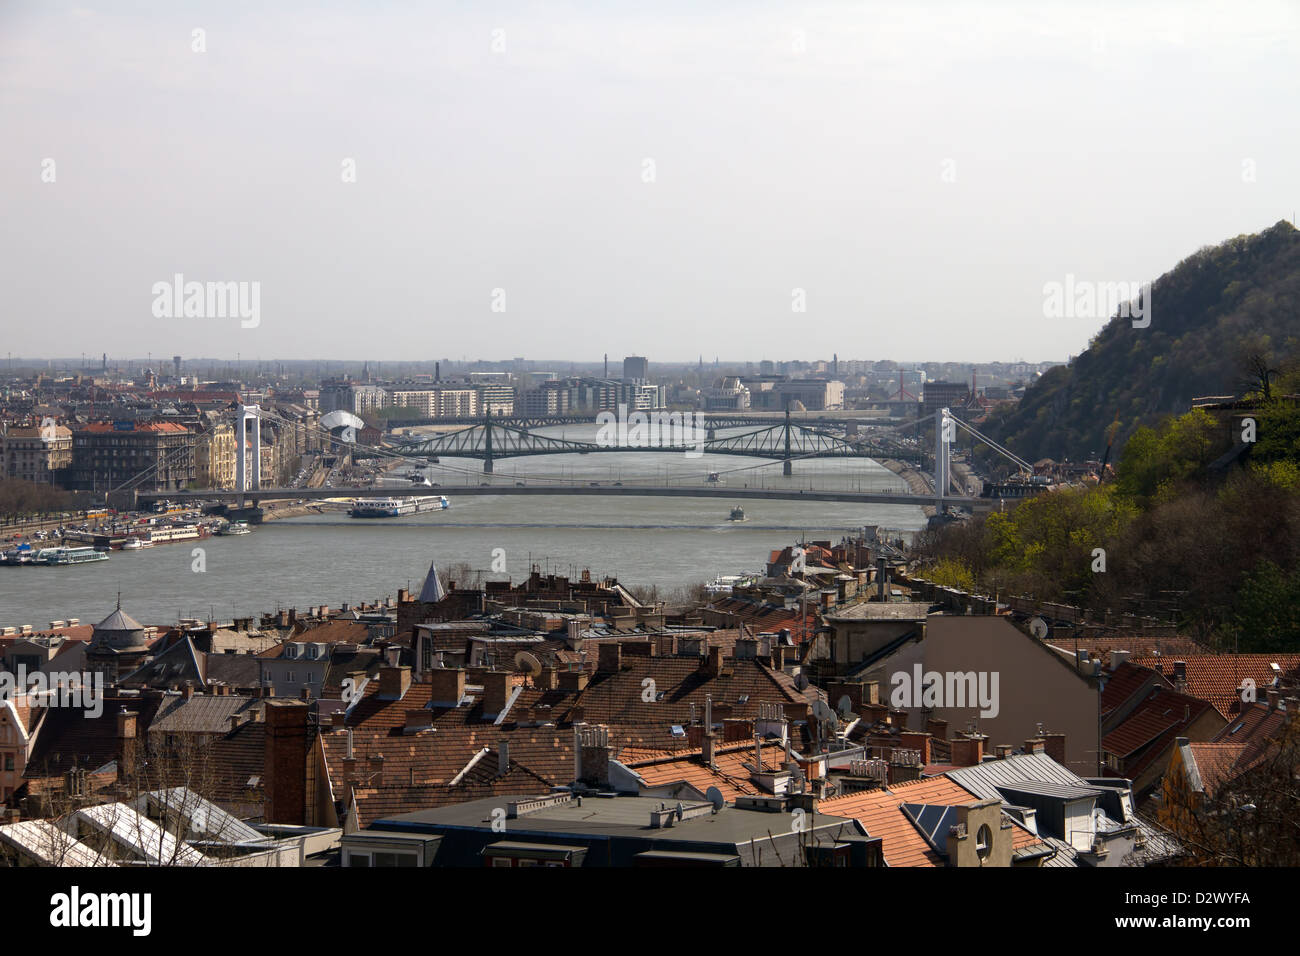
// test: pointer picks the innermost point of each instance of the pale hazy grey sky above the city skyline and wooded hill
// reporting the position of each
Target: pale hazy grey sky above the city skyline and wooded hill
(920, 171)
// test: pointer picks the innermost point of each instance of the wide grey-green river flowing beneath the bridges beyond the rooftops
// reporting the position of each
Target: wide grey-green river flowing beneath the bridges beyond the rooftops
(331, 559)
